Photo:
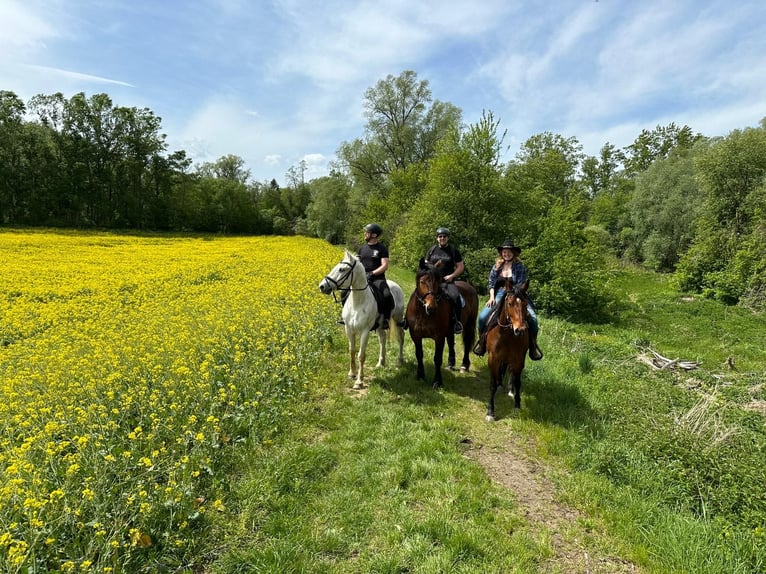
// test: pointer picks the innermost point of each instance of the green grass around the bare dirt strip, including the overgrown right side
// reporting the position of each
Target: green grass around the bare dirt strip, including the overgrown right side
(665, 468)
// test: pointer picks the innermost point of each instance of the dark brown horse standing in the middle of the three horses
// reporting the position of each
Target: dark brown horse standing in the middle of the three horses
(429, 316)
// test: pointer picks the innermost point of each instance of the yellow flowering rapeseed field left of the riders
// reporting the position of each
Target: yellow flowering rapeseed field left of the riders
(131, 367)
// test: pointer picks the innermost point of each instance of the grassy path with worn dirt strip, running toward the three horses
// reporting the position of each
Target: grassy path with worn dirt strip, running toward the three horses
(399, 478)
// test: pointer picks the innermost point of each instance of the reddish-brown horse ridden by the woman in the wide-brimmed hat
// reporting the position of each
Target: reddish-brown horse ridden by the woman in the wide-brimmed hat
(507, 345)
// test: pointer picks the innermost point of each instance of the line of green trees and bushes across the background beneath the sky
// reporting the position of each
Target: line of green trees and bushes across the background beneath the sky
(674, 200)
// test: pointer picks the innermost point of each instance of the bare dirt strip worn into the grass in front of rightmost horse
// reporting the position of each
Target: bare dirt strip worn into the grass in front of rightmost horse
(571, 543)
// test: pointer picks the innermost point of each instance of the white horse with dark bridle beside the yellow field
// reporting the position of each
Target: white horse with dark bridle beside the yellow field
(361, 311)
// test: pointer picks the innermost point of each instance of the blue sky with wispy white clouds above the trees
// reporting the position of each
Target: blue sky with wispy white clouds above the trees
(280, 81)
